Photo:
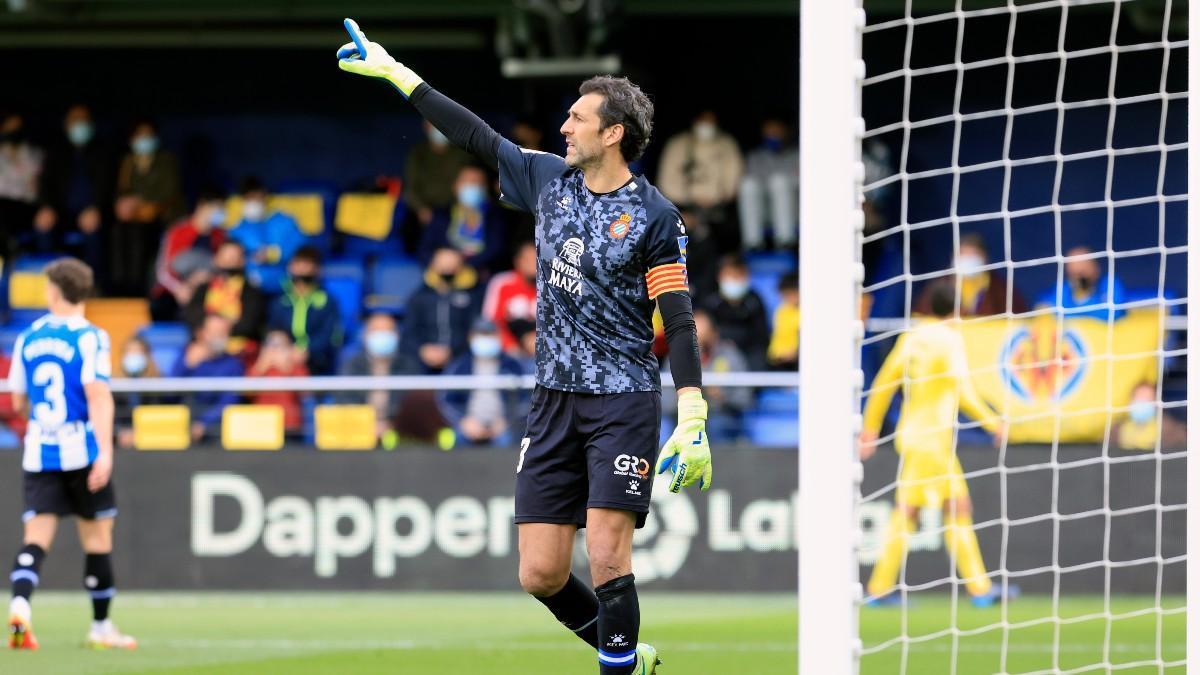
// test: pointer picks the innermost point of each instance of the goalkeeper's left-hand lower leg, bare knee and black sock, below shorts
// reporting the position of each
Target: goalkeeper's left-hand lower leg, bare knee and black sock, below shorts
(545, 574)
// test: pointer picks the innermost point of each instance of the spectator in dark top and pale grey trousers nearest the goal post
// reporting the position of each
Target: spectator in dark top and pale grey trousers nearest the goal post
(771, 189)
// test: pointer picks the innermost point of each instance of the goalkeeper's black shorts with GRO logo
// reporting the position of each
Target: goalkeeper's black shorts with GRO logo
(587, 451)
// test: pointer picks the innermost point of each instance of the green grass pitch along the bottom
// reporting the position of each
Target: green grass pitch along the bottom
(508, 634)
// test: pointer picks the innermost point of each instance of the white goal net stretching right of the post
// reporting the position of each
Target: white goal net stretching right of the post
(1027, 162)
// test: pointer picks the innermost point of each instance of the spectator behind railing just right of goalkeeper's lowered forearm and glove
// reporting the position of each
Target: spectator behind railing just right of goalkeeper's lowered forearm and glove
(725, 404)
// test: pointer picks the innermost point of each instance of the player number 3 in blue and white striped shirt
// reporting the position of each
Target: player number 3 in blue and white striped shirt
(59, 377)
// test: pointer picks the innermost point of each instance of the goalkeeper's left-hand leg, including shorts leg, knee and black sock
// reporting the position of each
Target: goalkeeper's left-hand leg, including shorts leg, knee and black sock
(551, 493)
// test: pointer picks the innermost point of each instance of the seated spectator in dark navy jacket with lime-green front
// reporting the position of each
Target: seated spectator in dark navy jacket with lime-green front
(309, 314)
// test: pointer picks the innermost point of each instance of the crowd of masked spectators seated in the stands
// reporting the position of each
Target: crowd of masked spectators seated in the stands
(249, 286)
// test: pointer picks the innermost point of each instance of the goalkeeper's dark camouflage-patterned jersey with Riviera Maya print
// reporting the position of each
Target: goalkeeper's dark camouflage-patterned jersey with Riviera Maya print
(602, 262)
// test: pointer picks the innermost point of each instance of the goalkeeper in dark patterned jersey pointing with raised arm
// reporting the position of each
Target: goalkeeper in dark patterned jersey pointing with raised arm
(609, 247)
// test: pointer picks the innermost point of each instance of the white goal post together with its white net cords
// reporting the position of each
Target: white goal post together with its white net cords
(832, 132)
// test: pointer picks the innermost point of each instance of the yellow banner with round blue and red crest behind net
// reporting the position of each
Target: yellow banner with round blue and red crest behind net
(1063, 386)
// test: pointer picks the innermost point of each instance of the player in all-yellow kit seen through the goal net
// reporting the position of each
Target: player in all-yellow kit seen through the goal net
(931, 362)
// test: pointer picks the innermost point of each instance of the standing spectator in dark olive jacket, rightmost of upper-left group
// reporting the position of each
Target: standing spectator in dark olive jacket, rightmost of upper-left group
(148, 195)
